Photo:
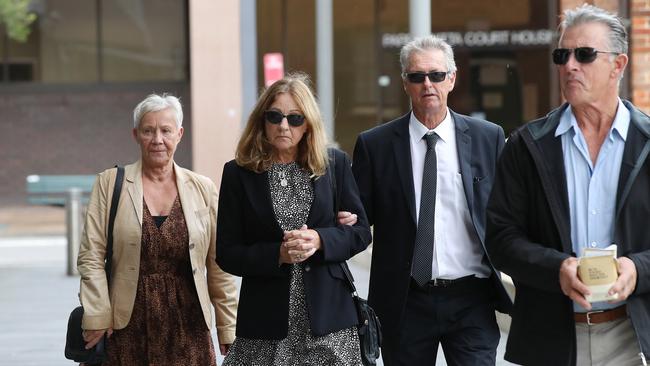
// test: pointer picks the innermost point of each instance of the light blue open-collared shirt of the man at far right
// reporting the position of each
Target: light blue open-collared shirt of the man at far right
(592, 188)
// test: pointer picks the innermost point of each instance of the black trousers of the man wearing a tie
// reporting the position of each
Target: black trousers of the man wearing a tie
(460, 317)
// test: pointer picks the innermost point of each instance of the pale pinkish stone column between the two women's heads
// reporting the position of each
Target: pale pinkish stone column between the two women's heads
(216, 92)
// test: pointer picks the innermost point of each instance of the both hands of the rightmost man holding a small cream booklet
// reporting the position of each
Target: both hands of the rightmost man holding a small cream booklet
(576, 290)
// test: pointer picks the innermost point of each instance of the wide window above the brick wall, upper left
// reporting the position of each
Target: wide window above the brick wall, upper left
(89, 41)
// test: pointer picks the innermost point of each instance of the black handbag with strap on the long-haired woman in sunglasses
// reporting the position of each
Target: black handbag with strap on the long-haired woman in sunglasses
(369, 326)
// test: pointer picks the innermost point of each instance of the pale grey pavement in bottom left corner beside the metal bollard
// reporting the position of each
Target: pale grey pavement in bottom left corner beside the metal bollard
(36, 298)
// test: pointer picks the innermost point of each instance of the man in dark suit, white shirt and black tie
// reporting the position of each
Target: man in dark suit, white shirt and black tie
(424, 180)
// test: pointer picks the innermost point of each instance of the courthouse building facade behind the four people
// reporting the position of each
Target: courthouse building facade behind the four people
(66, 94)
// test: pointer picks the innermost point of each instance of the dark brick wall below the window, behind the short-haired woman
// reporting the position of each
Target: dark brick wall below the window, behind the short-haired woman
(81, 130)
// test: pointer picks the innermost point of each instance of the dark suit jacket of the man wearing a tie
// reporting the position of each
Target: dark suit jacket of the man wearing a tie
(382, 167)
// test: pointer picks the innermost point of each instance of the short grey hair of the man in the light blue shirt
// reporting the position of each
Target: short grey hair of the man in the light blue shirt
(593, 14)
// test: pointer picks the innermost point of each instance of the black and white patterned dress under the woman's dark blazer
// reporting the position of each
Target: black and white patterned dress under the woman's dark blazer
(292, 195)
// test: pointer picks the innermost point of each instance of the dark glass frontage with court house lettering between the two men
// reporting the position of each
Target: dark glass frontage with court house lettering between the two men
(503, 67)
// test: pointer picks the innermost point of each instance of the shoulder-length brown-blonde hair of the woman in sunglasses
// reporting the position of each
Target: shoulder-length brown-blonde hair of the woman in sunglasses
(255, 152)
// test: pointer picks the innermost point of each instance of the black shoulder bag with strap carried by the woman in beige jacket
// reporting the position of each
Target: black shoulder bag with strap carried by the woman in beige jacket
(75, 346)
